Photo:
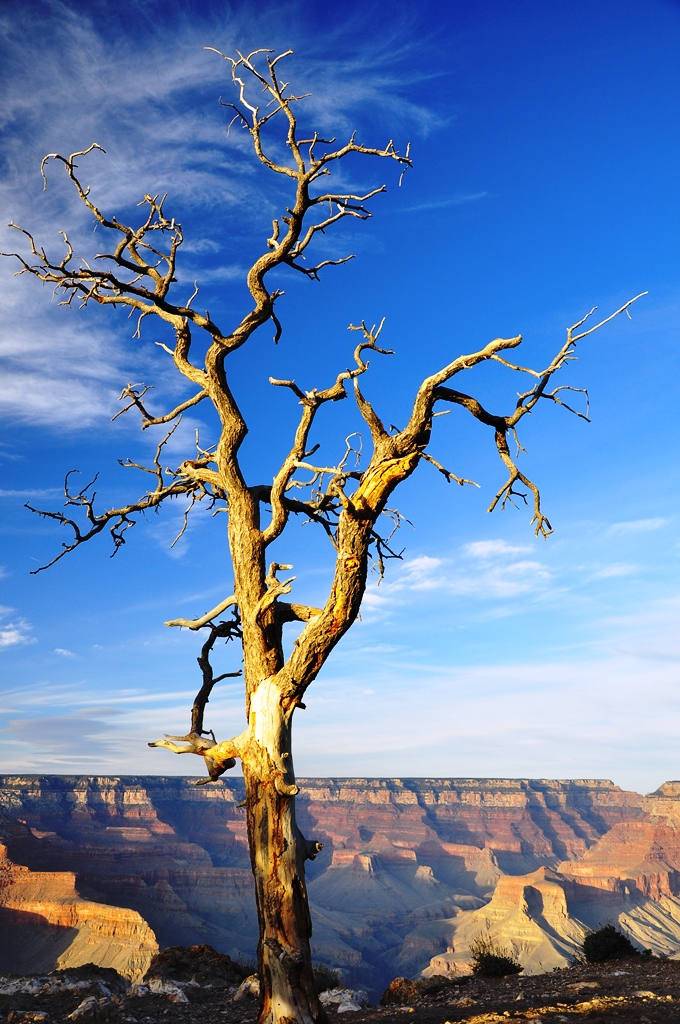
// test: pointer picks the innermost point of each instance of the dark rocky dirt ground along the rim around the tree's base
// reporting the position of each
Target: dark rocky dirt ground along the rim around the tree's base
(637, 991)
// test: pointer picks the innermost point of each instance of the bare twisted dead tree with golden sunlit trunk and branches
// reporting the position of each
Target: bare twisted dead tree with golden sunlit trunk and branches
(138, 273)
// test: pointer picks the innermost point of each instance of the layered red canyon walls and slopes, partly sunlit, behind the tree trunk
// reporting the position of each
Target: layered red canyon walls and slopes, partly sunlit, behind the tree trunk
(412, 870)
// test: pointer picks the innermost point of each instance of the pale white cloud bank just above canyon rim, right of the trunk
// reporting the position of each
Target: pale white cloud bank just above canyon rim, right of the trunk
(547, 720)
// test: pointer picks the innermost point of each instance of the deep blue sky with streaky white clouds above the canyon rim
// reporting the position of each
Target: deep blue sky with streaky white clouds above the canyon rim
(546, 146)
